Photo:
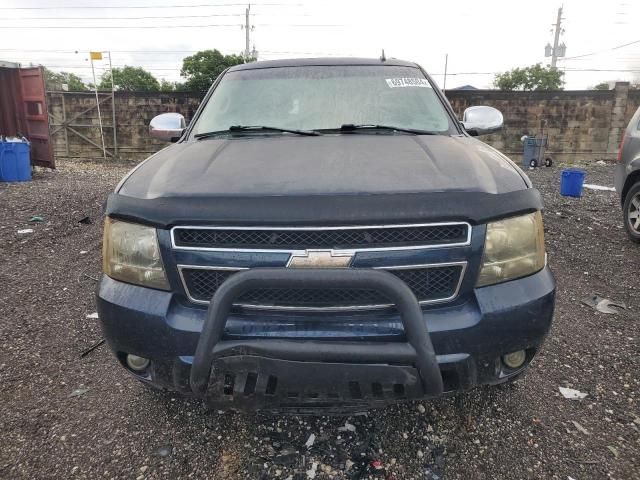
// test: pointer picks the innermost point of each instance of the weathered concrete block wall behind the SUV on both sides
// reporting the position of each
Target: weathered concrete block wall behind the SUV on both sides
(583, 126)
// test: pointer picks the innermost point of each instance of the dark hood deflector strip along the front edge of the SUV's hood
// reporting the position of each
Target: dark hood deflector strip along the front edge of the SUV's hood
(324, 210)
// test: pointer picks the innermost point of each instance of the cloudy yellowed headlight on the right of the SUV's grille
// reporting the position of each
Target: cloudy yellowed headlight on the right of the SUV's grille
(513, 248)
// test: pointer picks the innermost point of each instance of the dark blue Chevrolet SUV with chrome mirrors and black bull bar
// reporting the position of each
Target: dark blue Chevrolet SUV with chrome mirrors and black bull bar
(325, 235)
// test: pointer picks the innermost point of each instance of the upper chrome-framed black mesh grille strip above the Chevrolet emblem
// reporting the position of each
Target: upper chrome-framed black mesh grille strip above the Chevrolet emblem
(265, 238)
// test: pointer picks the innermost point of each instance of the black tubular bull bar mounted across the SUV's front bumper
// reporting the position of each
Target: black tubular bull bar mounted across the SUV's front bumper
(307, 363)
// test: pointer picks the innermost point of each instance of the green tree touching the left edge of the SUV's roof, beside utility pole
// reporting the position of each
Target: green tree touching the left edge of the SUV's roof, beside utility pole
(202, 68)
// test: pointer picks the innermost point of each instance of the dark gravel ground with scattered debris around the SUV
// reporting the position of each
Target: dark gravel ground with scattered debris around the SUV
(67, 416)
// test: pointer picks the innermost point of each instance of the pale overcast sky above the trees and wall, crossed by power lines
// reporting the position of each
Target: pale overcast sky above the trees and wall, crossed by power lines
(481, 38)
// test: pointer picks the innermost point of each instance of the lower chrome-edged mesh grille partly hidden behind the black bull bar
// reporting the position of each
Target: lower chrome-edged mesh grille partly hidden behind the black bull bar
(428, 283)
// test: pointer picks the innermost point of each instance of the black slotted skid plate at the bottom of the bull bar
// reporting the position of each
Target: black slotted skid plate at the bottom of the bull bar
(249, 383)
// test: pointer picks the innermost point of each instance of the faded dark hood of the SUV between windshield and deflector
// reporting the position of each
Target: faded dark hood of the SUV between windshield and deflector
(361, 163)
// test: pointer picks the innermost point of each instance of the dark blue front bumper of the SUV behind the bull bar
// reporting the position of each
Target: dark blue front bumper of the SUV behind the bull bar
(370, 360)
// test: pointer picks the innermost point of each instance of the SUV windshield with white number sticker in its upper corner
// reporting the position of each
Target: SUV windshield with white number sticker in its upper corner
(325, 97)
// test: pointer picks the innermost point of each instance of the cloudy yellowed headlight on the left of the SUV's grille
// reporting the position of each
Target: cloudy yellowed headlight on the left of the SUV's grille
(130, 253)
